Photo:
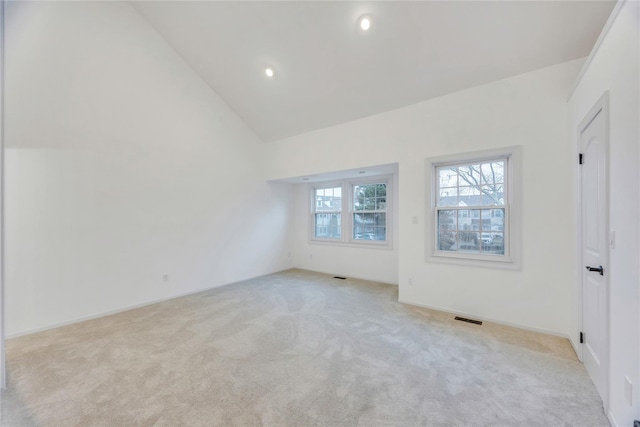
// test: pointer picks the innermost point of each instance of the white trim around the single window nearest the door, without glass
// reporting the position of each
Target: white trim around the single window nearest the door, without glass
(512, 258)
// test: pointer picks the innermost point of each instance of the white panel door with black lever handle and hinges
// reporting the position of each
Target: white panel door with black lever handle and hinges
(594, 205)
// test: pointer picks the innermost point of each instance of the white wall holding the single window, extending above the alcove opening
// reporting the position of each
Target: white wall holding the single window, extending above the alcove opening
(529, 110)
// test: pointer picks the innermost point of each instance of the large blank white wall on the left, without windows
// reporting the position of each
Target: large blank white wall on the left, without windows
(123, 166)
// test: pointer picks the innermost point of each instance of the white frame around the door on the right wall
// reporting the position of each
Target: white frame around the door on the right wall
(601, 105)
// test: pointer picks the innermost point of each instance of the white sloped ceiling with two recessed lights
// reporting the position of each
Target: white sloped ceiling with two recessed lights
(328, 72)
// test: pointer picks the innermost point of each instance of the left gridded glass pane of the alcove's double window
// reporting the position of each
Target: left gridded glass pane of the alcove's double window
(328, 213)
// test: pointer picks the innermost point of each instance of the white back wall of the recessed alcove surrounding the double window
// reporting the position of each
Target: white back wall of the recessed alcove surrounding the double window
(379, 264)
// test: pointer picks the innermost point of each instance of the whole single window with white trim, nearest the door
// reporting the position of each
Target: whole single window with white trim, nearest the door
(472, 215)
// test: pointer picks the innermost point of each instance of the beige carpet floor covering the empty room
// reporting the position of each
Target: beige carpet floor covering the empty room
(294, 349)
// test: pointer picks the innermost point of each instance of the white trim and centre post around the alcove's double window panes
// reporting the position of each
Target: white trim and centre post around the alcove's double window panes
(347, 212)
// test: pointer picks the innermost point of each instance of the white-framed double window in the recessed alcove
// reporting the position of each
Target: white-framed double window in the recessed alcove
(363, 218)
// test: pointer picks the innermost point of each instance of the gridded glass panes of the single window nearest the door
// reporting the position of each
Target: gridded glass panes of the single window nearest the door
(472, 208)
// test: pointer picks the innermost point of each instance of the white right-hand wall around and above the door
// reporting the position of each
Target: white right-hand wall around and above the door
(615, 67)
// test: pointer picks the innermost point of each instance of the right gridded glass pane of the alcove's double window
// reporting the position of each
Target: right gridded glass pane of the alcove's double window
(369, 214)
